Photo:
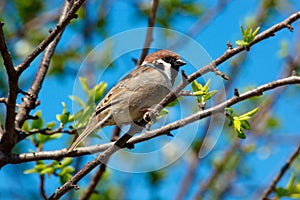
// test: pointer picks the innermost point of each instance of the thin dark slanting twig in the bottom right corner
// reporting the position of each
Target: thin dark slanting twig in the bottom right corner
(284, 168)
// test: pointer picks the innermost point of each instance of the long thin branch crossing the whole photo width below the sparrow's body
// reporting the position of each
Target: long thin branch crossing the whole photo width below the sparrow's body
(58, 154)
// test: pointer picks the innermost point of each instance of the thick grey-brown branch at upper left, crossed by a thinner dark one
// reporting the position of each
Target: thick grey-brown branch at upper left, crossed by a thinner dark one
(29, 101)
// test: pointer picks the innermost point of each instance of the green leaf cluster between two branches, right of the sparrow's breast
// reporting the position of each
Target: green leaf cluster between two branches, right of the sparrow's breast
(202, 93)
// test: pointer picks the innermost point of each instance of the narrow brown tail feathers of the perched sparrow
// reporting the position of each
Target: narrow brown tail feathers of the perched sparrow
(89, 129)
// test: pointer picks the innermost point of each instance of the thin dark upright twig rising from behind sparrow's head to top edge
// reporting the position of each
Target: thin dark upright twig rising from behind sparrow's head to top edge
(151, 22)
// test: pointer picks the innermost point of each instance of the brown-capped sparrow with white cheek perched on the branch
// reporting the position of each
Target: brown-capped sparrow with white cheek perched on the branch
(136, 93)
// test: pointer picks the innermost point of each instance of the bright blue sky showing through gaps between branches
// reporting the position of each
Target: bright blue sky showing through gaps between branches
(263, 65)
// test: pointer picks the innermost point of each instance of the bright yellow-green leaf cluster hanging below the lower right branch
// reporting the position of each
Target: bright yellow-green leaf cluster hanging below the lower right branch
(240, 123)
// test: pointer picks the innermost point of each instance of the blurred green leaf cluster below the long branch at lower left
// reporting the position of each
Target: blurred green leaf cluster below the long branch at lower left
(61, 169)
